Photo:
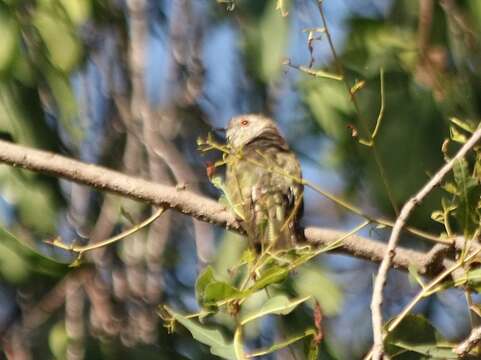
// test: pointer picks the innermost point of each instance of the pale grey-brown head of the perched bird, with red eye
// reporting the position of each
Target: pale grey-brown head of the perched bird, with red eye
(243, 129)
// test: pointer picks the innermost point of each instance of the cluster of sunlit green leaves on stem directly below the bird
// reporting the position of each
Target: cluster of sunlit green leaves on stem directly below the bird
(213, 296)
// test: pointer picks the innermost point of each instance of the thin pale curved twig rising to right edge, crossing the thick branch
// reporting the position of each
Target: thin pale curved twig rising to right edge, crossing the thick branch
(377, 297)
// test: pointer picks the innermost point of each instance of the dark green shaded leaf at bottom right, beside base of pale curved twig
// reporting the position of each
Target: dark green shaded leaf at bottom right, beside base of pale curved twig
(415, 335)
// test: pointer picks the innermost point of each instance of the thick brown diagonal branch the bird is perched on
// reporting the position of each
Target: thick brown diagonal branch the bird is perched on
(199, 207)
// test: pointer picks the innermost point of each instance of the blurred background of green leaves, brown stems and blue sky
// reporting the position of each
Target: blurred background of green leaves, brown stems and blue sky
(70, 82)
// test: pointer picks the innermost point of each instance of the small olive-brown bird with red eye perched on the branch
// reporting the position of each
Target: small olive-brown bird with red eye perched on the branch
(264, 182)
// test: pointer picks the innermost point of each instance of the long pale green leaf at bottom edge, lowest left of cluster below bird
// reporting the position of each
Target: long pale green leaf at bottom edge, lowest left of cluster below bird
(206, 335)
